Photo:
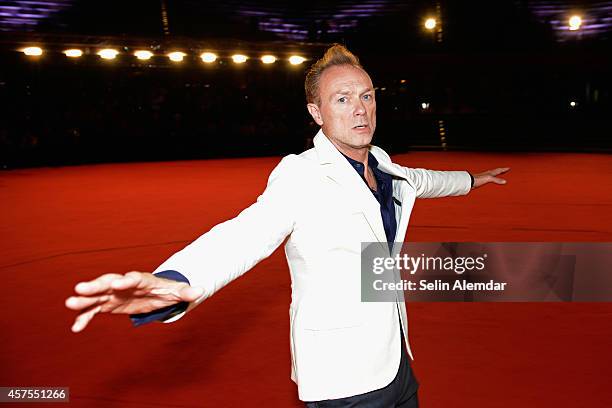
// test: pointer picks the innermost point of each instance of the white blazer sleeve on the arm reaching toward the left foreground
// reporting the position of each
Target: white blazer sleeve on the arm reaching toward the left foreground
(233, 247)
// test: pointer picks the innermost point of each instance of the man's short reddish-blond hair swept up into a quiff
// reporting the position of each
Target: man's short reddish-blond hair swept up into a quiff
(335, 55)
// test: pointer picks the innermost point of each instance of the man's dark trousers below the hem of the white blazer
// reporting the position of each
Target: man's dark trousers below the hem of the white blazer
(401, 393)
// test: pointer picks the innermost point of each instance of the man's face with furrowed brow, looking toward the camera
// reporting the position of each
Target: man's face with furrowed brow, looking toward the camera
(347, 108)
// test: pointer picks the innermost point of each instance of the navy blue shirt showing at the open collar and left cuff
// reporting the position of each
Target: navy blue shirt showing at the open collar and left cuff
(383, 194)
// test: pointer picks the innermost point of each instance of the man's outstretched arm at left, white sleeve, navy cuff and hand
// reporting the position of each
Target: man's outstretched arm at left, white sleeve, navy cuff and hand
(210, 262)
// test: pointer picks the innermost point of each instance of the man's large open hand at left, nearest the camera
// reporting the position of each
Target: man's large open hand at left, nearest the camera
(132, 293)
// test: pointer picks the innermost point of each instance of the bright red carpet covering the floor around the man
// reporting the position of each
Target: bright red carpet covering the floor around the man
(63, 225)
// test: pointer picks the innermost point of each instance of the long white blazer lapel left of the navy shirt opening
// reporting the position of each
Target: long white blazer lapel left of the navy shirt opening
(337, 168)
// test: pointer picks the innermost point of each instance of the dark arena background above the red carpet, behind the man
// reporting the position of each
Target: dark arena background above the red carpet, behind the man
(497, 76)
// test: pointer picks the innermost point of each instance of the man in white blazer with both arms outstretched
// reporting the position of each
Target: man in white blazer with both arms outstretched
(327, 201)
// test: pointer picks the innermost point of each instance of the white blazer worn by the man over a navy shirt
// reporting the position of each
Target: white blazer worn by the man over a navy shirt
(340, 346)
